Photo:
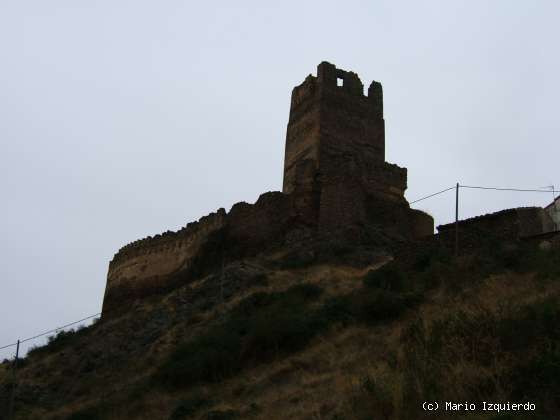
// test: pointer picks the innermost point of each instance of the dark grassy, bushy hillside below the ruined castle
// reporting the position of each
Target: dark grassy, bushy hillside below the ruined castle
(352, 333)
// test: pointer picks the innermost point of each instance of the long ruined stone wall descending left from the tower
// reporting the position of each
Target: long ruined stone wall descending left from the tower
(156, 264)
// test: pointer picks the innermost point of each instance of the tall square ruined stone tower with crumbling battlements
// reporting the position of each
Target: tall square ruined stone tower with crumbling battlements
(335, 152)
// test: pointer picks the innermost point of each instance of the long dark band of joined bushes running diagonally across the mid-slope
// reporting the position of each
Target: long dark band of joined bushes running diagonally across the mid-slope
(266, 326)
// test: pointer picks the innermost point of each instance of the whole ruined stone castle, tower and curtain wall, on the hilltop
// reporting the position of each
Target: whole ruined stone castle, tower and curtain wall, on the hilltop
(337, 187)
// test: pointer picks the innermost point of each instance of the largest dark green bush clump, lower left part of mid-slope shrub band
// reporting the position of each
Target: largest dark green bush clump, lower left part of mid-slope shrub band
(261, 327)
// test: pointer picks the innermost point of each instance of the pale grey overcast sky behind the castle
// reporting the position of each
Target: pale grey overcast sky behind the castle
(122, 119)
